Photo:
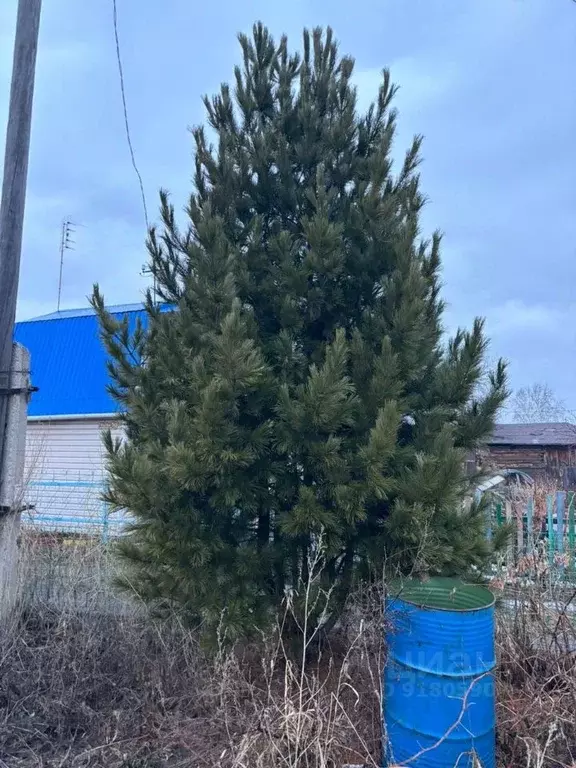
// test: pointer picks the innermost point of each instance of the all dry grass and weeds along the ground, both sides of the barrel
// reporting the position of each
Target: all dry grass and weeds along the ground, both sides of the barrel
(89, 680)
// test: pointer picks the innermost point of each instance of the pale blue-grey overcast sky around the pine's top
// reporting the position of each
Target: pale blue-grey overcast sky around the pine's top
(490, 84)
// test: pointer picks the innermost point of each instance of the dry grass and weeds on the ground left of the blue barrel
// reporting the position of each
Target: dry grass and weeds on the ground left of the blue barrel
(86, 681)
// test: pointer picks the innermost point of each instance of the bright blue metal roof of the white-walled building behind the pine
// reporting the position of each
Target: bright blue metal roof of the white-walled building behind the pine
(68, 361)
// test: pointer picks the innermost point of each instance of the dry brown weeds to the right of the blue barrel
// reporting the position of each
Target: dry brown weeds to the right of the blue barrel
(536, 691)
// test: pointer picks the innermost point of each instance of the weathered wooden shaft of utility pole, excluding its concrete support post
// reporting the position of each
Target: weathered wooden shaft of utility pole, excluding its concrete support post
(14, 192)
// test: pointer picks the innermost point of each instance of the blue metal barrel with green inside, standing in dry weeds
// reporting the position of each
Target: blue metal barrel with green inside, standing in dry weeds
(439, 705)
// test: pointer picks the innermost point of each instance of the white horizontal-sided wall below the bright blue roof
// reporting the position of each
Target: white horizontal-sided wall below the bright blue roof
(64, 476)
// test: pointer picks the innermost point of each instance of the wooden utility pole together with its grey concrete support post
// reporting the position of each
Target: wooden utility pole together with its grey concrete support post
(14, 359)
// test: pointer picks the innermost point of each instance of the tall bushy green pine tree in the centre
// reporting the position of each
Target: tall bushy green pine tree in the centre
(300, 387)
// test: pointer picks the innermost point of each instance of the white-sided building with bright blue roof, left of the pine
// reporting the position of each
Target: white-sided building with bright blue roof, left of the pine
(65, 460)
